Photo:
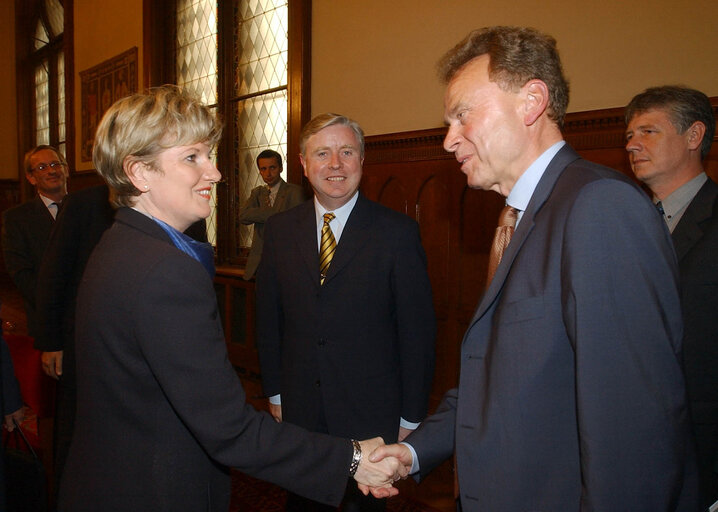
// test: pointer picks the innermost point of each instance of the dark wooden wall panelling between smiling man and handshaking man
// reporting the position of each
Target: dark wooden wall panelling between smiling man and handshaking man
(414, 175)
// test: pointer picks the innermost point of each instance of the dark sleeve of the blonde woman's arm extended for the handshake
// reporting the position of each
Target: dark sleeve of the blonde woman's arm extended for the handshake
(183, 343)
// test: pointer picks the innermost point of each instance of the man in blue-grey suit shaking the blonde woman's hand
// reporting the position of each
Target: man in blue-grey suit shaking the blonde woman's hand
(570, 394)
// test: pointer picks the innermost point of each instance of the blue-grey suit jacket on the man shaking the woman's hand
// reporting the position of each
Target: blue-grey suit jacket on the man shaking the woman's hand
(570, 394)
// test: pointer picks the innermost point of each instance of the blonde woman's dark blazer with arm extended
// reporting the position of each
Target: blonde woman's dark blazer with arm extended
(161, 413)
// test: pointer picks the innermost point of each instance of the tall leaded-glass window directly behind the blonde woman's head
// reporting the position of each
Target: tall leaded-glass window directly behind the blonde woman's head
(255, 107)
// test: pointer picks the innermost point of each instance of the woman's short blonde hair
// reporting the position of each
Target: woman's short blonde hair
(139, 127)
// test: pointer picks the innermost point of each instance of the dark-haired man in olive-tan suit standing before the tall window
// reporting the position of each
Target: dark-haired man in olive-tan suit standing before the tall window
(264, 201)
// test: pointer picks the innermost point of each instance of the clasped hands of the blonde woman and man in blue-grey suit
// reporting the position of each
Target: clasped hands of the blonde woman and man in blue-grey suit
(380, 466)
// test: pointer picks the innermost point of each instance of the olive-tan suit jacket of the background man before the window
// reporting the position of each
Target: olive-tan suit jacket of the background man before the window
(257, 212)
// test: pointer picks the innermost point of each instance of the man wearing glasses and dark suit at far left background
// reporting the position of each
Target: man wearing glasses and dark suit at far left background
(26, 228)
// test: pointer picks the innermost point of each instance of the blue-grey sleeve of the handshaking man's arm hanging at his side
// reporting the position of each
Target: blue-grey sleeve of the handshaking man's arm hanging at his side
(622, 314)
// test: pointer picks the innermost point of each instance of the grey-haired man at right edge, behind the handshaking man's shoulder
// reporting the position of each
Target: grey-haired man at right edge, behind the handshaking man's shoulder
(670, 131)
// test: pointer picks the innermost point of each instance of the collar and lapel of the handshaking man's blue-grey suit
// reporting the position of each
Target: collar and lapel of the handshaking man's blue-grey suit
(555, 168)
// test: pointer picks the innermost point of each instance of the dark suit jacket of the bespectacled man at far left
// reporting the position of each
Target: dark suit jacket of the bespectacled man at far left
(25, 232)
